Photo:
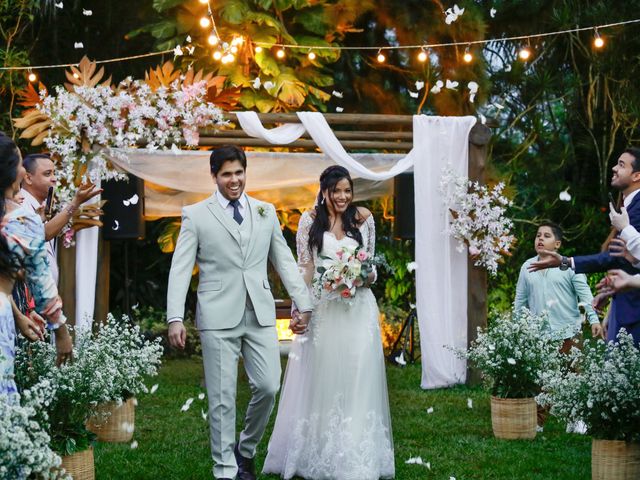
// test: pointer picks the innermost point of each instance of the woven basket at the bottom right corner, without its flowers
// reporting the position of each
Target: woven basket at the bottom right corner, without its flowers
(615, 460)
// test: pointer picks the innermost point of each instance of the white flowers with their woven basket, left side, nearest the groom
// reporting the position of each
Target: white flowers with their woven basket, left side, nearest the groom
(134, 358)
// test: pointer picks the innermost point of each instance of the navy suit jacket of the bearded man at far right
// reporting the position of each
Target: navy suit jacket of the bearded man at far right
(626, 304)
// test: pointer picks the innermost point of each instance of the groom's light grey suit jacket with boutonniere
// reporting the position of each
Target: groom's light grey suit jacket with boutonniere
(210, 238)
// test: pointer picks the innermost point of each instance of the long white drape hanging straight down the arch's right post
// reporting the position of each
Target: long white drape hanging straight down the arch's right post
(441, 277)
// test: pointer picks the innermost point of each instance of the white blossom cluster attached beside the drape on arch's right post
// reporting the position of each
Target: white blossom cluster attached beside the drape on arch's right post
(478, 219)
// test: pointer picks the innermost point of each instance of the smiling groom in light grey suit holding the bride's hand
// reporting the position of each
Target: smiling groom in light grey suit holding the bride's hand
(231, 236)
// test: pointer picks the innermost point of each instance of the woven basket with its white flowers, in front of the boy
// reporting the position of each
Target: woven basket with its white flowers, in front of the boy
(512, 354)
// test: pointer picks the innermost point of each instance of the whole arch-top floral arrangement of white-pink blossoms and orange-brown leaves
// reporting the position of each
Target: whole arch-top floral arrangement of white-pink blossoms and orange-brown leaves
(85, 121)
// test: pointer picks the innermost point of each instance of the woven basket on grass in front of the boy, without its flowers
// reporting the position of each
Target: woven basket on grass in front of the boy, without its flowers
(514, 418)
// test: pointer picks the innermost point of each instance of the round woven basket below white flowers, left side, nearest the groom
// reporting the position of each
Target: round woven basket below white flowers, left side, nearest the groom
(118, 426)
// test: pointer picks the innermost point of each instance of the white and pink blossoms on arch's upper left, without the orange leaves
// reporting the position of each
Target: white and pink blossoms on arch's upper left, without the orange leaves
(87, 123)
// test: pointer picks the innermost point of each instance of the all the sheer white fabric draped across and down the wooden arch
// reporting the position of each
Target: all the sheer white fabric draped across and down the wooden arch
(177, 178)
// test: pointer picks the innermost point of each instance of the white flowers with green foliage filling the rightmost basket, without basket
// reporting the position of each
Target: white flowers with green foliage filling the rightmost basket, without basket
(602, 389)
